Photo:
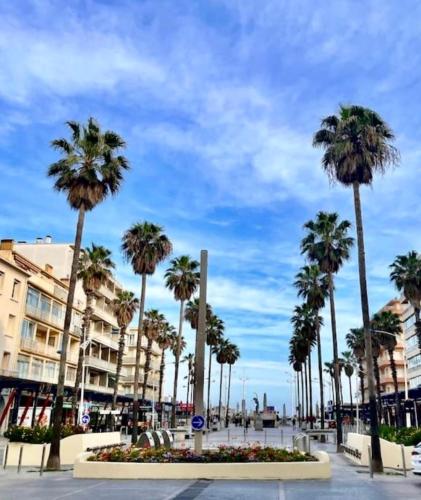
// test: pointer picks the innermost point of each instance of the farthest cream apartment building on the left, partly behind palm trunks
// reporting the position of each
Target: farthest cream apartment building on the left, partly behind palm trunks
(152, 390)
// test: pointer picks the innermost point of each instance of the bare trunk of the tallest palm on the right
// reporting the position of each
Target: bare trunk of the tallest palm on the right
(374, 425)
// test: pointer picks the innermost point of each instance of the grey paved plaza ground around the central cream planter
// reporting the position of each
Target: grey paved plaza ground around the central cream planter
(348, 481)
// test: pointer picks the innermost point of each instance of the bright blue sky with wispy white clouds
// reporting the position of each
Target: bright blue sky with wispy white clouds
(218, 101)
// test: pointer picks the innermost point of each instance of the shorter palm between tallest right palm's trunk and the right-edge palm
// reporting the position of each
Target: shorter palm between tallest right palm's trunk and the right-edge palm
(388, 328)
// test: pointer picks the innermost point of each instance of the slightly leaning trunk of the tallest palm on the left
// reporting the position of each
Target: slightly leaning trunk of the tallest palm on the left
(53, 462)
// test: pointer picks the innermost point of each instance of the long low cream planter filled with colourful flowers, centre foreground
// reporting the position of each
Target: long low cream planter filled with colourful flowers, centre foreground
(250, 463)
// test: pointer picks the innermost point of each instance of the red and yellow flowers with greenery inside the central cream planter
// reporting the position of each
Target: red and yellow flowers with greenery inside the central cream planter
(224, 454)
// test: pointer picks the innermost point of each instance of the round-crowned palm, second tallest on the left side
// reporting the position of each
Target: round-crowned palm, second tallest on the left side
(145, 246)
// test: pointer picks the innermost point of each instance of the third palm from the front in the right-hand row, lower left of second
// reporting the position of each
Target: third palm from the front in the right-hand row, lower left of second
(313, 286)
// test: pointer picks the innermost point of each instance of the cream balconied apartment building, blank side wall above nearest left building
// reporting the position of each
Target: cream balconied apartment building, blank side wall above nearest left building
(101, 353)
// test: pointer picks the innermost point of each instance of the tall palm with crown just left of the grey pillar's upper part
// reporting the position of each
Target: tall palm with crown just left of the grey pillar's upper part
(182, 278)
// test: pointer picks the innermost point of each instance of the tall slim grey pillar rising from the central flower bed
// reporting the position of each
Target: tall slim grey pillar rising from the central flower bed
(199, 365)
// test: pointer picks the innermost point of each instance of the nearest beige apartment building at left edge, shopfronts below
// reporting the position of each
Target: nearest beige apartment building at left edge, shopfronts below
(32, 305)
